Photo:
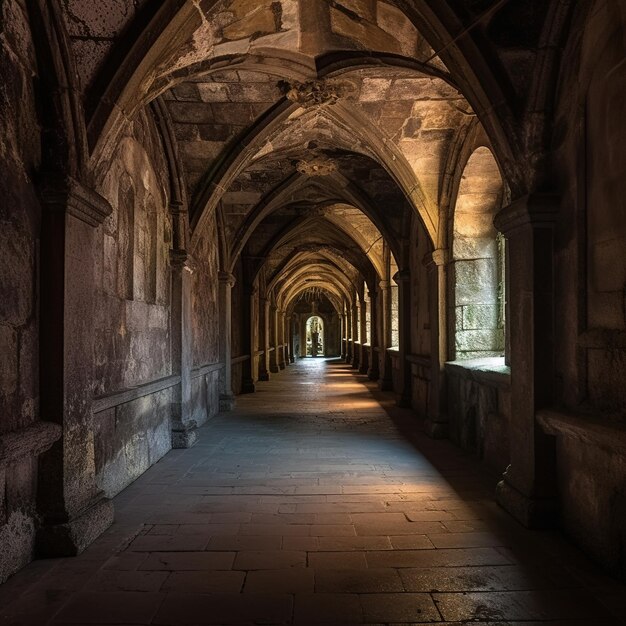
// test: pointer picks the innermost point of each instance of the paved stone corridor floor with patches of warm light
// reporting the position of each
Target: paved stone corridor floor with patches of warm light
(315, 502)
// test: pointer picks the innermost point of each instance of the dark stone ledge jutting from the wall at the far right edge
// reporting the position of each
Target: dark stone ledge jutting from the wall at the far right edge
(586, 428)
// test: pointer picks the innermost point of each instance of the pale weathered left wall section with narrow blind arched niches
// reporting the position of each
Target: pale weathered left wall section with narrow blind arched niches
(132, 324)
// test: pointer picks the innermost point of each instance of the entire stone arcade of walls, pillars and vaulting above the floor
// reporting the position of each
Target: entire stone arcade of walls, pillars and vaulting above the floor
(197, 193)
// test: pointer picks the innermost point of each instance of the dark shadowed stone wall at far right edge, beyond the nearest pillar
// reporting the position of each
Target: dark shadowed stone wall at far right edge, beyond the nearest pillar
(590, 163)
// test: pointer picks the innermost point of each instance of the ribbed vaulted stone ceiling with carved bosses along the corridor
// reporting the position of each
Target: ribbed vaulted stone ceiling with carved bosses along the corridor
(317, 131)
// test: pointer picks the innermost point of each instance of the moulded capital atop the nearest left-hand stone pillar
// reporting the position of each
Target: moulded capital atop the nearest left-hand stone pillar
(64, 193)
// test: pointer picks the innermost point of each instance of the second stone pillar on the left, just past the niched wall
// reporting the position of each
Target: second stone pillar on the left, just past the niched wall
(184, 433)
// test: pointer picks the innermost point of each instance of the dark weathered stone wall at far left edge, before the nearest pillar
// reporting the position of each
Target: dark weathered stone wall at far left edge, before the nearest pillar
(20, 216)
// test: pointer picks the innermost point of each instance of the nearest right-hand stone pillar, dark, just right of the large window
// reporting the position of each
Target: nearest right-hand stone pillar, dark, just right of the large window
(528, 488)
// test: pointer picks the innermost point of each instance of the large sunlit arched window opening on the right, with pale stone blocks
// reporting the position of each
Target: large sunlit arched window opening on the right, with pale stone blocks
(478, 261)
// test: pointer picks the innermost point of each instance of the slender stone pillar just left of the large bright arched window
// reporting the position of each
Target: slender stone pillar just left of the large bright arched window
(437, 263)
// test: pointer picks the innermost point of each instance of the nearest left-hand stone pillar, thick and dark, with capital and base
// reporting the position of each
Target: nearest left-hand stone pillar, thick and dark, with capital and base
(73, 510)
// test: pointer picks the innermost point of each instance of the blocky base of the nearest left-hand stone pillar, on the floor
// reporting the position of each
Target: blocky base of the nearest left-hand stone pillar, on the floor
(71, 538)
